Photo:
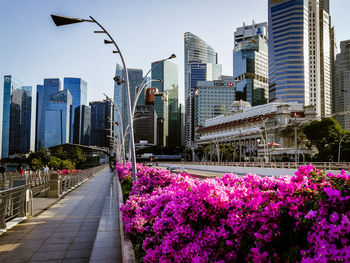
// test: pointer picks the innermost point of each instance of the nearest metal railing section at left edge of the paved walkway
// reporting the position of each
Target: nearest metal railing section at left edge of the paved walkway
(14, 203)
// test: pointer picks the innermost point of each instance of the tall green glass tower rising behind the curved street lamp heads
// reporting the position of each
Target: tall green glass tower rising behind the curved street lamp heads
(167, 72)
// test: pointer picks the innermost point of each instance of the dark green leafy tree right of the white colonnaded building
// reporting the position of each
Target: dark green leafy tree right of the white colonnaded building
(324, 135)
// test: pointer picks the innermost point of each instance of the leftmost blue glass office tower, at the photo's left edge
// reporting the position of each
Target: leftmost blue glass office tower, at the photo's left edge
(17, 123)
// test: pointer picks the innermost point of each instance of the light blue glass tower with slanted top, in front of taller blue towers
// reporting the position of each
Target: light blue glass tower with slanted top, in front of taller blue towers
(58, 119)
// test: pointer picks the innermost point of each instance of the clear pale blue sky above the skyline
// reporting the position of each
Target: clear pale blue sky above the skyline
(33, 48)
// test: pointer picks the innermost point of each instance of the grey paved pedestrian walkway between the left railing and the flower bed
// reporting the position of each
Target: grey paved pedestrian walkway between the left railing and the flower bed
(65, 232)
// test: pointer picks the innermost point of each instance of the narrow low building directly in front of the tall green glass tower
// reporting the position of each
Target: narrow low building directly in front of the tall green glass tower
(161, 108)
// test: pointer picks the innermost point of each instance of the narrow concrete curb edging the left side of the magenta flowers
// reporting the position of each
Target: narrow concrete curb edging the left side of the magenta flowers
(128, 255)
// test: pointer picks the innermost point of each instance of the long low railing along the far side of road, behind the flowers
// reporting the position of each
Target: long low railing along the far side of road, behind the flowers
(282, 165)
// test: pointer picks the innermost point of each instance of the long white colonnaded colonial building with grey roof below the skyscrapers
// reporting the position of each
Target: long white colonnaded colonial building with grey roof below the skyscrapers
(269, 131)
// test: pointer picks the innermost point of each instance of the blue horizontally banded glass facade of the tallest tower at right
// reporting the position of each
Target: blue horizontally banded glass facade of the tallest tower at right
(288, 51)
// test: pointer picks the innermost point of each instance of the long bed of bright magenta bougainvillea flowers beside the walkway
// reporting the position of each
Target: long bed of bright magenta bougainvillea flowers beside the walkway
(178, 218)
